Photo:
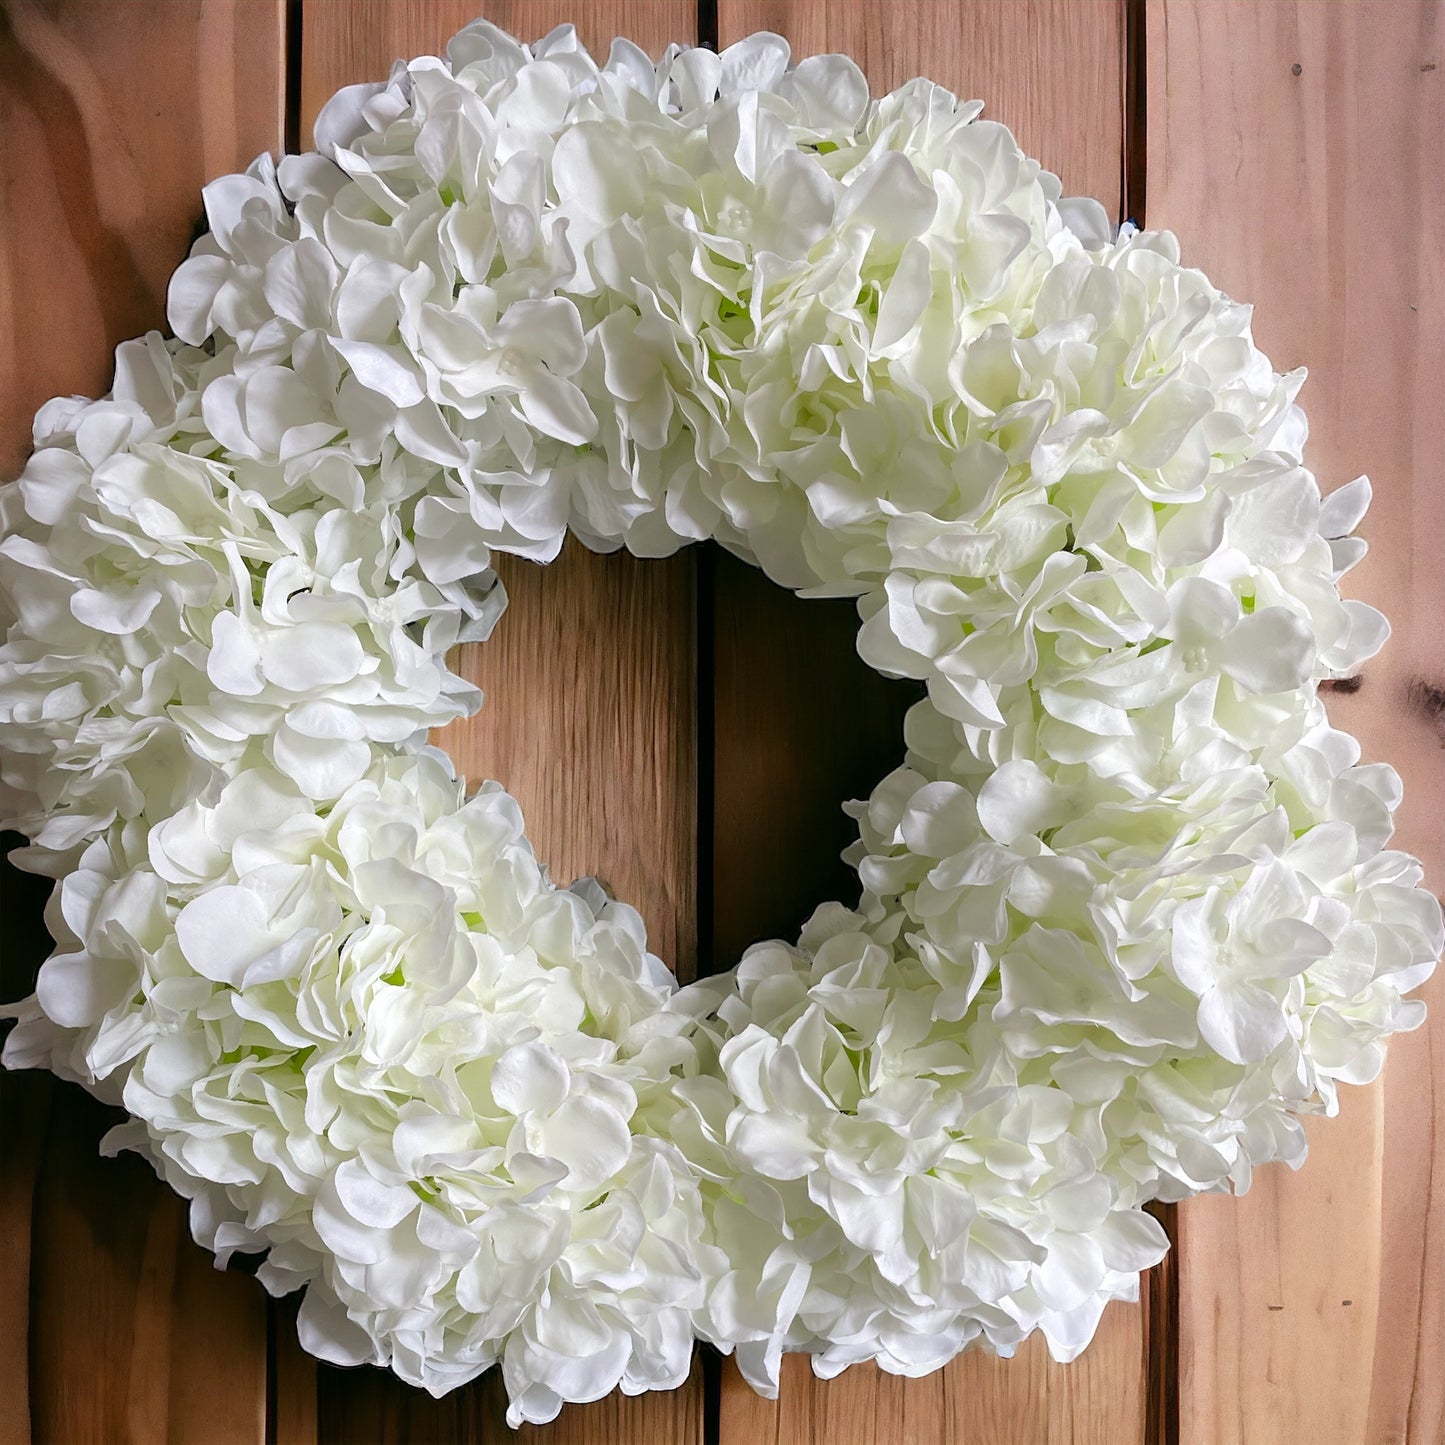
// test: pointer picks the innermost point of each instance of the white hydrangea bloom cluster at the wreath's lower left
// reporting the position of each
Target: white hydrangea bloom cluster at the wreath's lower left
(375, 1041)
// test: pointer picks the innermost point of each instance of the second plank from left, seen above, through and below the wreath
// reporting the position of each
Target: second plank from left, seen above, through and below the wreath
(602, 761)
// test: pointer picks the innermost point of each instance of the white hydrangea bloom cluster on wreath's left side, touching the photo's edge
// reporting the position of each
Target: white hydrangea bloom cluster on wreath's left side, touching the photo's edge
(178, 613)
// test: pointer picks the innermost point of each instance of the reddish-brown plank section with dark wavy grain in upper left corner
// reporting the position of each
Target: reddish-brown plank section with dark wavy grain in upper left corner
(113, 118)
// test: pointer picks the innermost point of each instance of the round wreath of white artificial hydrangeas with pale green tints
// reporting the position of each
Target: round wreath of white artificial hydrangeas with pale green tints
(1128, 908)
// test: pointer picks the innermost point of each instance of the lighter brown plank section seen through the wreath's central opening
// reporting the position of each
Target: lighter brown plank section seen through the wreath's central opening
(589, 722)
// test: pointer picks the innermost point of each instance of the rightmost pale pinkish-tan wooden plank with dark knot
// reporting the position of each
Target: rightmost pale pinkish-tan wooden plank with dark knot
(1316, 1307)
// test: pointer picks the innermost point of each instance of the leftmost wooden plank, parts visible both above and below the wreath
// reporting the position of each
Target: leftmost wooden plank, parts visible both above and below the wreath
(113, 116)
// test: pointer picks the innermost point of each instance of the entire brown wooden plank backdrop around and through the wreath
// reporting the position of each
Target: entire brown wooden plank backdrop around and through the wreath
(1297, 150)
